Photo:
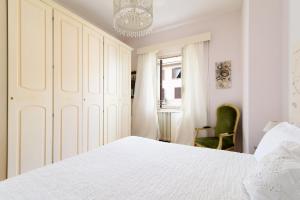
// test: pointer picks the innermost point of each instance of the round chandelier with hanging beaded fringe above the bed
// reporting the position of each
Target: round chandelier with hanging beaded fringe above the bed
(133, 18)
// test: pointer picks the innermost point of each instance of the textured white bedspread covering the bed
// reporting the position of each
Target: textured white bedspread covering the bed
(136, 169)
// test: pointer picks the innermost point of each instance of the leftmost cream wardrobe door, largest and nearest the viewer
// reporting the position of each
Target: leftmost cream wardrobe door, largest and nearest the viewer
(30, 86)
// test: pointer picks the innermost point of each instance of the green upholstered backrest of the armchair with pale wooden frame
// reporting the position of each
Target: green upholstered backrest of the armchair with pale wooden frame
(228, 117)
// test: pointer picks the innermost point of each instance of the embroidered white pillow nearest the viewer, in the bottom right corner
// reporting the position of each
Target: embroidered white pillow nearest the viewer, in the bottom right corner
(277, 175)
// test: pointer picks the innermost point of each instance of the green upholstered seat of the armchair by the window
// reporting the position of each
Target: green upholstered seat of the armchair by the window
(213, 142)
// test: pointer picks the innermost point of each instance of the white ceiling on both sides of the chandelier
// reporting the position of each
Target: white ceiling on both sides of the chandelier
(167, 13)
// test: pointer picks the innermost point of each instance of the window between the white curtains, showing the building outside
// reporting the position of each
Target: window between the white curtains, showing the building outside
(169, 82)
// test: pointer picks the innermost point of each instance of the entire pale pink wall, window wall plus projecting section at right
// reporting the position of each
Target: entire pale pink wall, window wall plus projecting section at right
(257, 40)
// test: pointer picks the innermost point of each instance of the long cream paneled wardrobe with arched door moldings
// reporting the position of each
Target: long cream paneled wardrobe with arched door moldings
(68, 85)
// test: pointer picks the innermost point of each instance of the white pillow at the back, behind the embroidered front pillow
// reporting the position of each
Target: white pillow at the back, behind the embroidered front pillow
(273, 138)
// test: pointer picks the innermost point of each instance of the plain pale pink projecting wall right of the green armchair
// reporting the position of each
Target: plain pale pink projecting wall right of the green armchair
(264, 66)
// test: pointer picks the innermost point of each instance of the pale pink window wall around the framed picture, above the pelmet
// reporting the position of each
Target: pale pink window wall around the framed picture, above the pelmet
(225, 45)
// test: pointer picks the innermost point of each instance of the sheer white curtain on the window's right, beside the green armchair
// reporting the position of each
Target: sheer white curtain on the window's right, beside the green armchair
(194, 99)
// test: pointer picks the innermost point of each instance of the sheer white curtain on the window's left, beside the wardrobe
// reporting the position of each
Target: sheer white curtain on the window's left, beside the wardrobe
(144, 110)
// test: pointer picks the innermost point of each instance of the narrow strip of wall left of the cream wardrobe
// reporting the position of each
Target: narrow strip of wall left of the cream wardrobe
(3, 88)
